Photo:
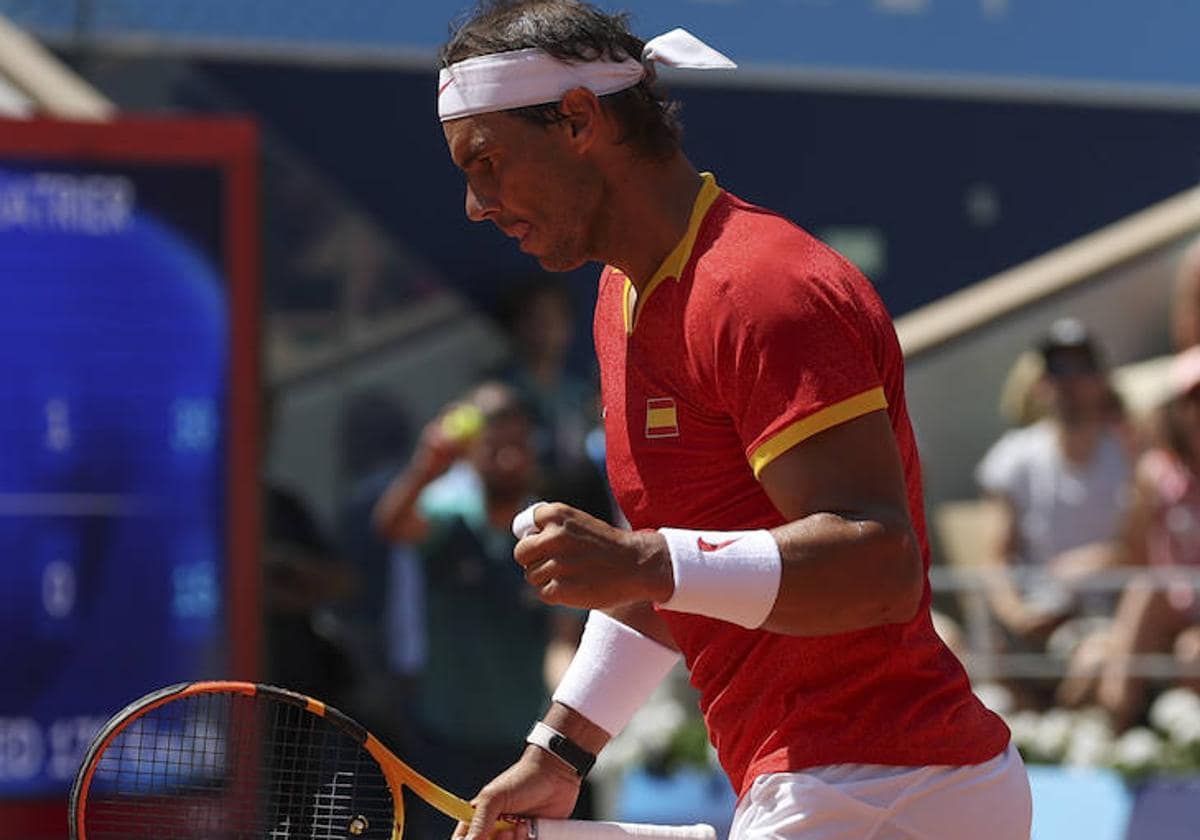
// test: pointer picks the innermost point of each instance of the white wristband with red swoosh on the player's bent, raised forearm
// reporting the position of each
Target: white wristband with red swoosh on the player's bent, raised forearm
(731, 575)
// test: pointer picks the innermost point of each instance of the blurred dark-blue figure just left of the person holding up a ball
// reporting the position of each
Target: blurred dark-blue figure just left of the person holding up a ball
(387, 616)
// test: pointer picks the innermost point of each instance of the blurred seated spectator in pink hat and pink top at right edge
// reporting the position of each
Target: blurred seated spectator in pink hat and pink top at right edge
(1160, 613)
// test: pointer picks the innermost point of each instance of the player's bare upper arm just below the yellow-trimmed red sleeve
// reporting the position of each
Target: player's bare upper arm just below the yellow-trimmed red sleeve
(851, 470)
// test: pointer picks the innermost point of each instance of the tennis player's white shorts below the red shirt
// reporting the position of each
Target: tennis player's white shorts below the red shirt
(873, 802)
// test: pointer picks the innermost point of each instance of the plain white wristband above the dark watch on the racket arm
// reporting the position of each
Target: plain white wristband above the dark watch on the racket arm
(615, 671)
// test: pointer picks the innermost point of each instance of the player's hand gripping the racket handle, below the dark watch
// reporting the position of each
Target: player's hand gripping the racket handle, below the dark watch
(538, 785)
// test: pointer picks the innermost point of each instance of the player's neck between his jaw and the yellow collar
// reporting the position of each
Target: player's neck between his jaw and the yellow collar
(651, 206)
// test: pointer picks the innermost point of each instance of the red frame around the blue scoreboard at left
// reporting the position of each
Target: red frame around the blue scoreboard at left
(230, 147)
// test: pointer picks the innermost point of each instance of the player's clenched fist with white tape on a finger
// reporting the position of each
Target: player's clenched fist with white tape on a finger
(578, 561)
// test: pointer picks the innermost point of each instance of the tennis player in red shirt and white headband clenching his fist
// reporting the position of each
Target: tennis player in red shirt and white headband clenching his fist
(759, 445)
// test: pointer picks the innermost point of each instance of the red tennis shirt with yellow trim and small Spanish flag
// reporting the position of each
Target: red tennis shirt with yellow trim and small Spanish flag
(752, 338)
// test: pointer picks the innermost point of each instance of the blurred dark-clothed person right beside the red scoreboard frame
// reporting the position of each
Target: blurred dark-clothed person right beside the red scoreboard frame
(302, 579)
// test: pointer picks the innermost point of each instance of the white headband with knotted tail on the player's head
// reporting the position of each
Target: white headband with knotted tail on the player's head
(529, 77)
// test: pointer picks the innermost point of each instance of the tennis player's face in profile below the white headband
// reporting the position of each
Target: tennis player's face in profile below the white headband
(531, 183)
